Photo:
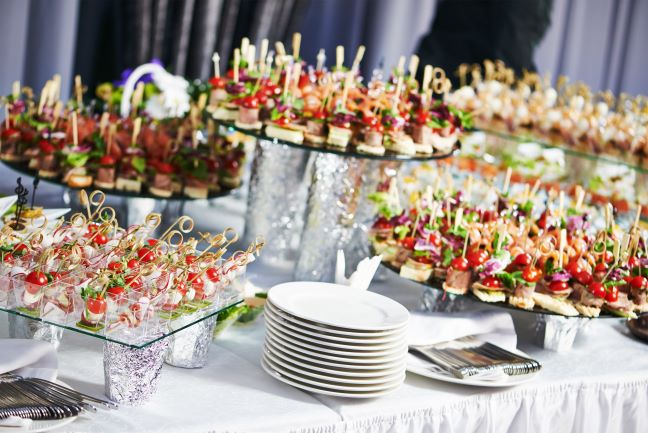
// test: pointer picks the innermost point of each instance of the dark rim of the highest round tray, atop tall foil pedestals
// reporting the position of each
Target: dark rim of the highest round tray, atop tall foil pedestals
(348, 151)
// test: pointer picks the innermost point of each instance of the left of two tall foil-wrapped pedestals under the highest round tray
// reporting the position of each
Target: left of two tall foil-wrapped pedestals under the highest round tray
(276, 198)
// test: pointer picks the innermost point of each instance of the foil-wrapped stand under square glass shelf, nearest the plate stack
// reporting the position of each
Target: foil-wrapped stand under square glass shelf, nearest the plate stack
(189, 348)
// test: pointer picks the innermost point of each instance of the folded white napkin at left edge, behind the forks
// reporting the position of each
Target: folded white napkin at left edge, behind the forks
(28, 358)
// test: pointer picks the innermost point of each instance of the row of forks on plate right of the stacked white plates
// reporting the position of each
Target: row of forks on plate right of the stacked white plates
(469, 357)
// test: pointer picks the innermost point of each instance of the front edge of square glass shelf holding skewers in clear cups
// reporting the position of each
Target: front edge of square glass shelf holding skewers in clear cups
(158, 326)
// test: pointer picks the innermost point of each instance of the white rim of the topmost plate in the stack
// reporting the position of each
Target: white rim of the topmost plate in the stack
(318, 286)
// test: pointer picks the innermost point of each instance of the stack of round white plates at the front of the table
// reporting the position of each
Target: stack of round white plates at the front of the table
(335, 340)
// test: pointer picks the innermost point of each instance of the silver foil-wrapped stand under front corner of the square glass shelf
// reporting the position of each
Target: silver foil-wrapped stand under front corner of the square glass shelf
(132, 375)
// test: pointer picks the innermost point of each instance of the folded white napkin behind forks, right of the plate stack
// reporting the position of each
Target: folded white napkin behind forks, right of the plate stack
(488, 325)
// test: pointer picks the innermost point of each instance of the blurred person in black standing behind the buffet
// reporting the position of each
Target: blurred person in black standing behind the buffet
(471, 31)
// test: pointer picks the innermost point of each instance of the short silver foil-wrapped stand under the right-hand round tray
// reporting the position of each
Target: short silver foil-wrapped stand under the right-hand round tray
(557, 333)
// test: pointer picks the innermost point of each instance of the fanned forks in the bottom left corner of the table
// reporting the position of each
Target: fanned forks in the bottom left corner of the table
(39, 399)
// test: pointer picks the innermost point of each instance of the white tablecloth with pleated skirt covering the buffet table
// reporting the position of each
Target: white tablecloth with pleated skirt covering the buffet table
(587, 389)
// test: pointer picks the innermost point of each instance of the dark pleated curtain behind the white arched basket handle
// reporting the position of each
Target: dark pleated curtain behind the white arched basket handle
(117, 34)
